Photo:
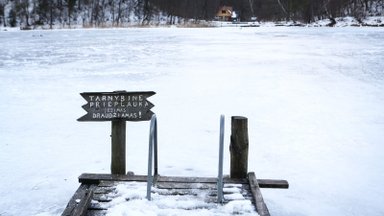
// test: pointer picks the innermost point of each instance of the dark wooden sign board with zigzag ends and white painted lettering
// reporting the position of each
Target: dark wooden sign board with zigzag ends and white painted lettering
(118, 105)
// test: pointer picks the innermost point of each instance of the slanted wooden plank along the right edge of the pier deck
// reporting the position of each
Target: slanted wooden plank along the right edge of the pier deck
(261, 207)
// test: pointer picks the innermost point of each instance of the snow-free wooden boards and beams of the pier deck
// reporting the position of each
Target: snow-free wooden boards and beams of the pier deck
(94, 189)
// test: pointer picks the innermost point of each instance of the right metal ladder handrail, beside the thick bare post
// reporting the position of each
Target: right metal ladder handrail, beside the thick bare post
(220, 183)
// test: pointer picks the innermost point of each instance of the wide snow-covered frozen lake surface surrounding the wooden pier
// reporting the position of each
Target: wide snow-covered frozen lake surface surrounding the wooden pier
(313, 96)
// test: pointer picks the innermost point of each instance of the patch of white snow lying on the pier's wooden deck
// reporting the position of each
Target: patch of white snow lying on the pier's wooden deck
(129, 199)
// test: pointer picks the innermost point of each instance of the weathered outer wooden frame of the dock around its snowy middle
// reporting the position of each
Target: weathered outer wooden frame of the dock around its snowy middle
(80, 203)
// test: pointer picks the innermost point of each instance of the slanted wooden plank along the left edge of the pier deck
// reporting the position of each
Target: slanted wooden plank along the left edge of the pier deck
(80, 201)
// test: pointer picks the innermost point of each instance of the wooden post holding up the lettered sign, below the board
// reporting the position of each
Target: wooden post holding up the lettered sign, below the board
(118, 147)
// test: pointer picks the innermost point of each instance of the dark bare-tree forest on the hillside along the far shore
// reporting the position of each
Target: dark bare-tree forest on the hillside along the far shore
(106, 13)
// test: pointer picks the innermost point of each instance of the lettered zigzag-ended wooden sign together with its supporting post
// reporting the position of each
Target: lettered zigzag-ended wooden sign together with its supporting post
(117, 107)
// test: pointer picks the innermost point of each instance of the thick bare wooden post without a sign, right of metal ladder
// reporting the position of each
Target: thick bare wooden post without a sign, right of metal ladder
(239, 147)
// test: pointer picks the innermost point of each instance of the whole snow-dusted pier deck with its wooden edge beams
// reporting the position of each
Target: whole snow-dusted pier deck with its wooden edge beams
(107, 194)
